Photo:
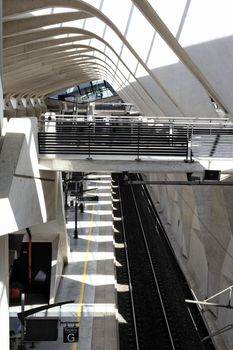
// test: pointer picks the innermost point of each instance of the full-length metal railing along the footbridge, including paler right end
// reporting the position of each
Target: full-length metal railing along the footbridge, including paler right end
(135, 136)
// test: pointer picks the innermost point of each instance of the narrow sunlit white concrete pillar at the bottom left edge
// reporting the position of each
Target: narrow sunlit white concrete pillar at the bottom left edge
(4, 304)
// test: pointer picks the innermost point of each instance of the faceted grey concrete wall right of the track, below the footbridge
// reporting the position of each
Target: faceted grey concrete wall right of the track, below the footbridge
(199, 223)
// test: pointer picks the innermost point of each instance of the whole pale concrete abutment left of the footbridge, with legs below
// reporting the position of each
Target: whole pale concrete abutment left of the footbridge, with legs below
(32, 198)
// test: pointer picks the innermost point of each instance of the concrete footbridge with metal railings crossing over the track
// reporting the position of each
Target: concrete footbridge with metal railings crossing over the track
(134, 143)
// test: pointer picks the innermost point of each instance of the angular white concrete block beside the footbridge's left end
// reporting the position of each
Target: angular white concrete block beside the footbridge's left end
(27, 195)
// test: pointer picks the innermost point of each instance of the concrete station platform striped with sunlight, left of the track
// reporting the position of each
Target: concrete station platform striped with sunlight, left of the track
(89, 278)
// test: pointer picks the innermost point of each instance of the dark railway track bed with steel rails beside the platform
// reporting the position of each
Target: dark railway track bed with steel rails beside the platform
(153, 310)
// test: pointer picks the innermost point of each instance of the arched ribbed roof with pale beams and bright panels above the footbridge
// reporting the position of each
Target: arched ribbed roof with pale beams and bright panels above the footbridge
(166, 57)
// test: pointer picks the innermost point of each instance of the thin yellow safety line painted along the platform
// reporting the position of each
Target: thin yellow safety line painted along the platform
(80, 304)
